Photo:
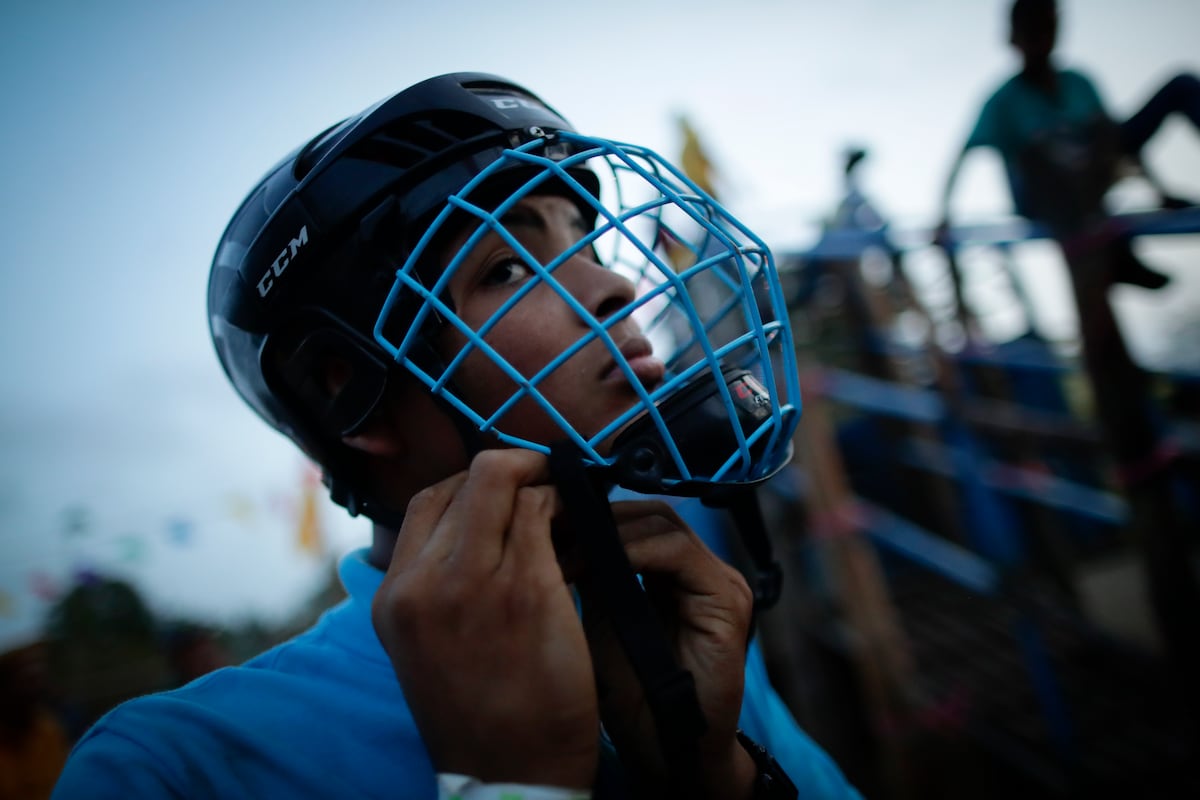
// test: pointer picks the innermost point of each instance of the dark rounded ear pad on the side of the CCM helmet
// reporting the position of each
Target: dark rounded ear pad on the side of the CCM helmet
(338, 380)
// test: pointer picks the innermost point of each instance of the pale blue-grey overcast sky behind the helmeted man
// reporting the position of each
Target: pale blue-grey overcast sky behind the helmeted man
(135, 129)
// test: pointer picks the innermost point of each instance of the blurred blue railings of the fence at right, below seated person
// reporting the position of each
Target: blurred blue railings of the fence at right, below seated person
(988, 486)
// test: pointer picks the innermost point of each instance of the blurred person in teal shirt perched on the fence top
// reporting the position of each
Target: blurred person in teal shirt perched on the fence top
(1064, 151)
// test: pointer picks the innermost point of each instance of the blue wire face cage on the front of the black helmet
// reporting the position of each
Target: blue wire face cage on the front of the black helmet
(707, 297)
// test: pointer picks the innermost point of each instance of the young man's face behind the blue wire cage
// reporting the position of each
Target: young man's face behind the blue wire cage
(589, 389)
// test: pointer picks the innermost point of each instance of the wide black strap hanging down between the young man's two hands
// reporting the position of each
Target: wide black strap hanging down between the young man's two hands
(614, 587)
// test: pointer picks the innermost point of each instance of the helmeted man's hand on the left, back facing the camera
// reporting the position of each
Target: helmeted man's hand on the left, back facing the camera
(483, 630)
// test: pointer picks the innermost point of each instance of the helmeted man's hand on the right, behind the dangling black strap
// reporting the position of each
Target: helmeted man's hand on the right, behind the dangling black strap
(706, 607)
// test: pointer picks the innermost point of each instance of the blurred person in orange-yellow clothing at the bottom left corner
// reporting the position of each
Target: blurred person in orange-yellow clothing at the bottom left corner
(33, 741)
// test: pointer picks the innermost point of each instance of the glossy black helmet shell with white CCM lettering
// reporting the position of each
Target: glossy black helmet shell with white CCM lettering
(302, 256)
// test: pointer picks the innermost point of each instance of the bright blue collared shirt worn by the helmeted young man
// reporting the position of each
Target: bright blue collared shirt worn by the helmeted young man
(323, 717)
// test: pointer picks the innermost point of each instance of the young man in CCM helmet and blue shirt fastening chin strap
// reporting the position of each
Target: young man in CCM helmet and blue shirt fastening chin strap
(433, 302)
